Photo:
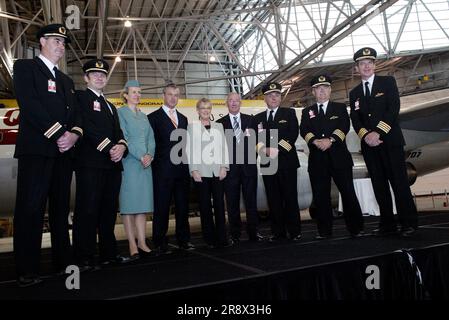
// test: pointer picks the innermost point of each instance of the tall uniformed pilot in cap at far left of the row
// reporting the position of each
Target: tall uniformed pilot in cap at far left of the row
(49, 126)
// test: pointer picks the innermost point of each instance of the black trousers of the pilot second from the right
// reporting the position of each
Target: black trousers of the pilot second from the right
(321, 188)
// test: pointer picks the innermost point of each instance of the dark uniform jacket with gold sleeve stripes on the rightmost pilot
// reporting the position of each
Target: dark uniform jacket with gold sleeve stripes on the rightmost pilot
(380, 112)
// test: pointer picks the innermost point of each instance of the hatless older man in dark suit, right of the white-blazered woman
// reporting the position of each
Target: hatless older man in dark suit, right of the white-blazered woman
(242, 174)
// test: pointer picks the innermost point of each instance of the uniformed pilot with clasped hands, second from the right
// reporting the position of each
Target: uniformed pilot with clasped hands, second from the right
(324, 126)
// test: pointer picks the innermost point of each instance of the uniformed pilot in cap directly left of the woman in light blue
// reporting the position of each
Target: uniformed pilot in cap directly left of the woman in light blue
(98, 171)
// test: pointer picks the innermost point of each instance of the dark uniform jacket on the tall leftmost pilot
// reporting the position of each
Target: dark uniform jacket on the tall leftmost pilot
(45, 115)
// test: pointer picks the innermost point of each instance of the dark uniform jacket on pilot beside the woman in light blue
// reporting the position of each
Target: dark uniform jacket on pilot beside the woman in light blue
(101, 132)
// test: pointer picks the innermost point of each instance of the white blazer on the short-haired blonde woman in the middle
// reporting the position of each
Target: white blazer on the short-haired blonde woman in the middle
(207, 150)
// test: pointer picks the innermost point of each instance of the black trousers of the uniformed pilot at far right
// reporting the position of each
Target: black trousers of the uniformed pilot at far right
(387, 164)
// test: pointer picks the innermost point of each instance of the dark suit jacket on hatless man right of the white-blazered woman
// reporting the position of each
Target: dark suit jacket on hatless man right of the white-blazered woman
(249, 169)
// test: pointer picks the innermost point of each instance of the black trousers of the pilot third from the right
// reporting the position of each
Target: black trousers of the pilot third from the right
(282, 195)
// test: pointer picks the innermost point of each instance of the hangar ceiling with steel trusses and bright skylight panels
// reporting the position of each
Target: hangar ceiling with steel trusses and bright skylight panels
(252, 40)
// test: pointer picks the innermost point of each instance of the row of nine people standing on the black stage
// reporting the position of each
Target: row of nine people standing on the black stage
(127, 161)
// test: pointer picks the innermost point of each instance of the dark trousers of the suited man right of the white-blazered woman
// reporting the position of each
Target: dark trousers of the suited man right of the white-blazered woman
(235, 182)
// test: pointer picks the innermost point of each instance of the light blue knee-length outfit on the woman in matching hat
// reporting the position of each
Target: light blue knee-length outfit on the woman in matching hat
(136, 192)
